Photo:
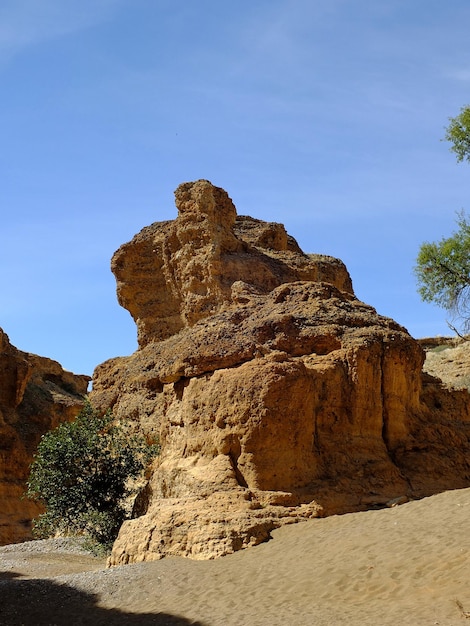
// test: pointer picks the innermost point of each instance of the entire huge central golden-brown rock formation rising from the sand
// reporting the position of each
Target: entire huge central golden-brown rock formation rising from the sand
(276, 394)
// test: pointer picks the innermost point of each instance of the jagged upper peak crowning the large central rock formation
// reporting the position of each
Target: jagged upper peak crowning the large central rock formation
(175, 273)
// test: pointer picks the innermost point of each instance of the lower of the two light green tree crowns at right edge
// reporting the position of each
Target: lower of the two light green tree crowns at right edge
(443, 272)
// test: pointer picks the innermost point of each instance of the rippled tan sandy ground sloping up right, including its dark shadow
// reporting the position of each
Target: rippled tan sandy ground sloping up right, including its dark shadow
(404, 565)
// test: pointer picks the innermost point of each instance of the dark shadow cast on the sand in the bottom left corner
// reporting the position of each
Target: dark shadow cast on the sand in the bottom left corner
(43, 602)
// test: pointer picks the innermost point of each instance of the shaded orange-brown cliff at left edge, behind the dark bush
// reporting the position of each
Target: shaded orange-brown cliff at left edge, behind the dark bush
(36, 395)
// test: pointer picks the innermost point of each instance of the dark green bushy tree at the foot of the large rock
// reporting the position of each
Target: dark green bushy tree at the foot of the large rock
(82, 473)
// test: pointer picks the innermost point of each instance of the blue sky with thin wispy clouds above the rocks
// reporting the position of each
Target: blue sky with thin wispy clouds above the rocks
(325, 115)
